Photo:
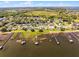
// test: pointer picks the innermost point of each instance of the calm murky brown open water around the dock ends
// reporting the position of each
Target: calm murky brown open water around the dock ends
(45, 49)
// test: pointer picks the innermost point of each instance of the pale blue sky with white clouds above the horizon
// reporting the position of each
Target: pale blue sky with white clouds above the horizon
(38, 3)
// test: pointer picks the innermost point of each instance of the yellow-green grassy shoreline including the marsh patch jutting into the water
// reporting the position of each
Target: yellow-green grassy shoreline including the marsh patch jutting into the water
(28, 35)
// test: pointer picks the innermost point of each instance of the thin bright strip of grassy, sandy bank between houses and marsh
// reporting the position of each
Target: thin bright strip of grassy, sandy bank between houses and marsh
(47, 31)
